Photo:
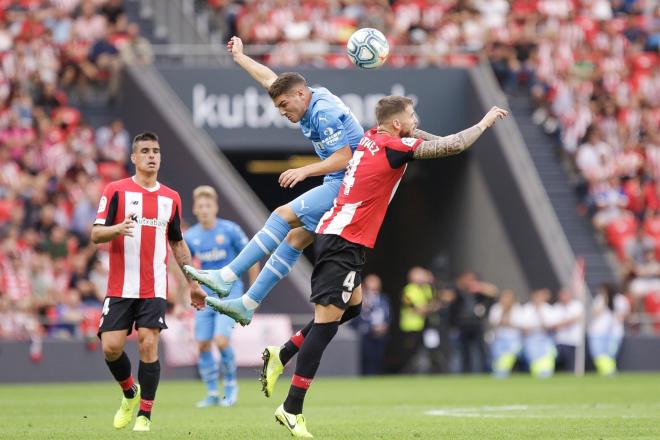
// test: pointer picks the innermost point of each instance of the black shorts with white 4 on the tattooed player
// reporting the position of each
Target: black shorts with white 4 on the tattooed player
(337, 271)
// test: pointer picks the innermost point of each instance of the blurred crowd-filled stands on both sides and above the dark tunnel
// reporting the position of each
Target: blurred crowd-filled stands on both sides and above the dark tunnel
(591, 67)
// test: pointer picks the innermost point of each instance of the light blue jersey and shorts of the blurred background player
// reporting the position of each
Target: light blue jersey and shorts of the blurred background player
(215, 248)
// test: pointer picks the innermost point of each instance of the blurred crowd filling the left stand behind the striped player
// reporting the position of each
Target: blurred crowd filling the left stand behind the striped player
(54, 55)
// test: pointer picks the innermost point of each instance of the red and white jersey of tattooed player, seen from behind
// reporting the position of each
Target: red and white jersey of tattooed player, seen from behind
(370, 182)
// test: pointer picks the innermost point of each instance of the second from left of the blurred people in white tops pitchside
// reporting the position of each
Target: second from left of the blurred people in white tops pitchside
(538, 320)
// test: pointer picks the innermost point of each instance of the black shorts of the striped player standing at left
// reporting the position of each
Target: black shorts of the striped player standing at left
(122, 313)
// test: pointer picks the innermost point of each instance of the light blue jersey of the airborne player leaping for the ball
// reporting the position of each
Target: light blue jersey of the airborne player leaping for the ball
(330, 125)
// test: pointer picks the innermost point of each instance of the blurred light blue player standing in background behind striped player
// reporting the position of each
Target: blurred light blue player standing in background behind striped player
(215, 242)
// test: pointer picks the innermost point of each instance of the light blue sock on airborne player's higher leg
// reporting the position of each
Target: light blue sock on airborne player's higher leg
(262, 244)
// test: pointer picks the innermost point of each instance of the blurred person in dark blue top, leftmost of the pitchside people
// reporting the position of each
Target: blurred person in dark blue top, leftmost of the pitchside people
(373, 325)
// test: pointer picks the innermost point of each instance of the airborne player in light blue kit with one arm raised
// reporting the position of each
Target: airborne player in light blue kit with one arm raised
(335, 132)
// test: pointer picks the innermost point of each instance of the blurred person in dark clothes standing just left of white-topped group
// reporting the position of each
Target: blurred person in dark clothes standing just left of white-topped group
(469, 314)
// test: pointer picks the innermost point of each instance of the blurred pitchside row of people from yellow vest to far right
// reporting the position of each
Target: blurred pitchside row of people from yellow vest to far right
(470, 325)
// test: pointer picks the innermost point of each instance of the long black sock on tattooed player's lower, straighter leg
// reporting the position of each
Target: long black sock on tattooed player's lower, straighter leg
(308, 362)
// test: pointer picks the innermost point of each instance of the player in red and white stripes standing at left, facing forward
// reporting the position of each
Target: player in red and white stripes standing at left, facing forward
(138, 216)
